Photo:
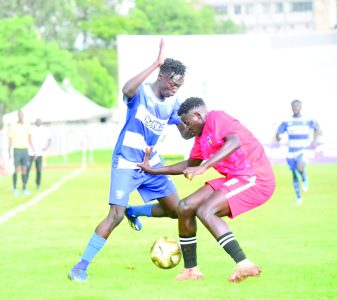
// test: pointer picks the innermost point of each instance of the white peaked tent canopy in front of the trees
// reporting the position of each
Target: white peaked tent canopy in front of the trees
(53, 104)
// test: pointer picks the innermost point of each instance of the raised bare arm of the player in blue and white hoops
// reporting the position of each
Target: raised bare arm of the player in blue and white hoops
(131, 86)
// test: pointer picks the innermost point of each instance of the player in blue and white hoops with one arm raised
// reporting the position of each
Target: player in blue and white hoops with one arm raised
(150, 107)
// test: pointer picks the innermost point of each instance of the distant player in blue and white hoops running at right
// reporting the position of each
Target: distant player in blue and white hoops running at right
(300, 140)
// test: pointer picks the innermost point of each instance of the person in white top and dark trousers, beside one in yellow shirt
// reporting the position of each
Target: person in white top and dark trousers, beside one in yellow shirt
(41, 141)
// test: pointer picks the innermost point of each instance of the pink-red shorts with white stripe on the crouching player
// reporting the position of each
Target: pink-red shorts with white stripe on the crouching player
(242, 193)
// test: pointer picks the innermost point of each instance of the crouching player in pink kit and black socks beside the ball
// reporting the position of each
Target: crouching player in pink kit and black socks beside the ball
(247, 181)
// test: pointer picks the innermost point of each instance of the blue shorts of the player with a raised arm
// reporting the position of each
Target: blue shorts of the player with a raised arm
(150, 187)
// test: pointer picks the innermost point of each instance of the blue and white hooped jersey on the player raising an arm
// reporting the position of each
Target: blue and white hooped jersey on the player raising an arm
(146, 118)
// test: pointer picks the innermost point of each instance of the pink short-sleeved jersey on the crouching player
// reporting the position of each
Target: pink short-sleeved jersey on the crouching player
(249, 160)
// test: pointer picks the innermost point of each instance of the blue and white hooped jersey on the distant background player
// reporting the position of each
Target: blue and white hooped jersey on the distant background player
(299, 132)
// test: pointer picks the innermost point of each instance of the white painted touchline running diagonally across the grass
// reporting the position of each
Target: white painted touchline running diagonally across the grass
(12, 213)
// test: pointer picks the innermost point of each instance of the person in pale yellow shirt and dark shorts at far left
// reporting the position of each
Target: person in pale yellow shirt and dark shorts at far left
(19, 140)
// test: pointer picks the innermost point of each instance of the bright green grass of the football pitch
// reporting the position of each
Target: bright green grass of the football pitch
(295, 246)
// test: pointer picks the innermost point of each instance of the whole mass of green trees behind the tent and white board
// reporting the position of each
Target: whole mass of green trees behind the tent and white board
(77, 39)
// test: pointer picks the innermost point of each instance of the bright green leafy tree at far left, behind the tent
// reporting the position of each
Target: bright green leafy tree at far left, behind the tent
(26, 59)
